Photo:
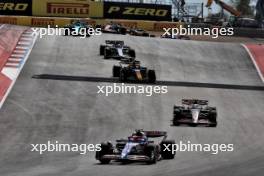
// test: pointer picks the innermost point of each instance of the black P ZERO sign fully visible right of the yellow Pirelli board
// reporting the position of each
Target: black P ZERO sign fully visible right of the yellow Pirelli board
(137, 11)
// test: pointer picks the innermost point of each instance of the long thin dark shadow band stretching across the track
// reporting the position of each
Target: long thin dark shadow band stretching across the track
(159, 82)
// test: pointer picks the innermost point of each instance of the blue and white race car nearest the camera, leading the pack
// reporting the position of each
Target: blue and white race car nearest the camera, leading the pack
(137, 147)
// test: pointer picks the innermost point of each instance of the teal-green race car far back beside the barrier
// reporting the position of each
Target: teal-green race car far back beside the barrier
(77, 27)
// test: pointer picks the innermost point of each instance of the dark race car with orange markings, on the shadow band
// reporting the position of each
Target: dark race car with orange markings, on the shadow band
(132, 71)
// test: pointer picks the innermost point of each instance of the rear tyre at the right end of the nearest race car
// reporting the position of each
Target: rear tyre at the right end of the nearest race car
(165, 153)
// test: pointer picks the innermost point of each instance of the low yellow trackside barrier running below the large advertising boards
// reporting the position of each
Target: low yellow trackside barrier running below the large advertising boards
(52, 21)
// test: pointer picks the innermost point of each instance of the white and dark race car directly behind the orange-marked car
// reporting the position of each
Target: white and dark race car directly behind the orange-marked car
(116, 49)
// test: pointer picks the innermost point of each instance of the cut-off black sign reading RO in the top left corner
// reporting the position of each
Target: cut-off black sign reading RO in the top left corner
(16, 7)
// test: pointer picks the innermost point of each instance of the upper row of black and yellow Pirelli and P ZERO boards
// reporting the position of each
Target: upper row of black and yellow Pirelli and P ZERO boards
(86, 9)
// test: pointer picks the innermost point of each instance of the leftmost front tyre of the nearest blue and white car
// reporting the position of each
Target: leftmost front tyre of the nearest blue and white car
(106, 148)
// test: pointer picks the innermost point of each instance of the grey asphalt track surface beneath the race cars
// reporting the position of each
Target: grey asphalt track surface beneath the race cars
(38, 110)
